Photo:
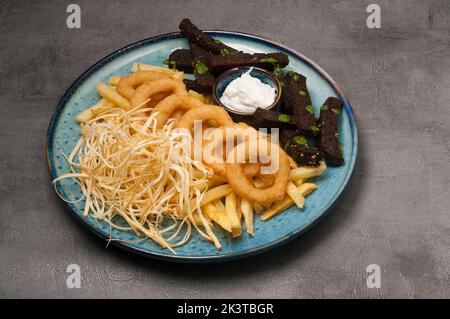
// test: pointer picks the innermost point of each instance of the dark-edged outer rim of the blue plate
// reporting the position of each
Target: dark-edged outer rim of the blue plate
(208, 258)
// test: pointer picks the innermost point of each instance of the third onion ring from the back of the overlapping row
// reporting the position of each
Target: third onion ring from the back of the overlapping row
(174, 105)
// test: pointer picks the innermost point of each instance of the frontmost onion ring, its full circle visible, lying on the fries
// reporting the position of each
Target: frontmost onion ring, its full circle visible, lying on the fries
(245, 187)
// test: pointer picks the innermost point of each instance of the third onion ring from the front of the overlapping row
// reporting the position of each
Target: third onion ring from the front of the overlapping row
(207, 112)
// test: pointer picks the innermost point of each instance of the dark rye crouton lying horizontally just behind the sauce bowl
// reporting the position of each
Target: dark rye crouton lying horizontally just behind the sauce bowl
(268, 61)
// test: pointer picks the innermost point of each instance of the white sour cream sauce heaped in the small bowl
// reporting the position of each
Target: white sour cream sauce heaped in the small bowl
(247, 93)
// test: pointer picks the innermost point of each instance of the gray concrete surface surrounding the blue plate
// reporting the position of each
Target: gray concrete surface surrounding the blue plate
(395, 212)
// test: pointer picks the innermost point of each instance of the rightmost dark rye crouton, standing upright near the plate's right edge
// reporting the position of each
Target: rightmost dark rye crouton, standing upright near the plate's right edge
(329, 136)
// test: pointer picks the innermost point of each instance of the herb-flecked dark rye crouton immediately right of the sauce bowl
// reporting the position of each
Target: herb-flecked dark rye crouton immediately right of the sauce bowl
(297, 101)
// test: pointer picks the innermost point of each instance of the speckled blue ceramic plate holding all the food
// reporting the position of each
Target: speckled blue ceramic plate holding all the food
(64, 132)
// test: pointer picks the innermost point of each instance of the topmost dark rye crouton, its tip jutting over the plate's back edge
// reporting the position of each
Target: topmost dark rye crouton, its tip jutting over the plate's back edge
(200, 38)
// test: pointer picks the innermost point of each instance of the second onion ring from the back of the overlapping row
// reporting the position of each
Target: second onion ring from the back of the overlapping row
(148, 89)
